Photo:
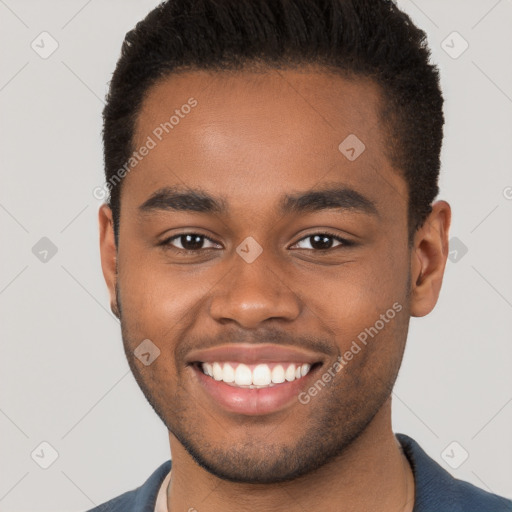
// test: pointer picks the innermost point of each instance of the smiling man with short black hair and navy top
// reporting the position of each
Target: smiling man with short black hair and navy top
(271, 228)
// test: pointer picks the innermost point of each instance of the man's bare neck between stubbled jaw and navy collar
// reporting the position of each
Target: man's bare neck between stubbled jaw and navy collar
(371, 474)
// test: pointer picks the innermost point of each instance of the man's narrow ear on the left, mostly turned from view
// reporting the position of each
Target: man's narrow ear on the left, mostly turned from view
(108, 253)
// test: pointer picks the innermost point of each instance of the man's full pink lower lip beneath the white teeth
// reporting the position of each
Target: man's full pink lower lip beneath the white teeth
(253, 402)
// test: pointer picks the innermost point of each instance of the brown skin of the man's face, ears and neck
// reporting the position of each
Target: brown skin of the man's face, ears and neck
(252, 139)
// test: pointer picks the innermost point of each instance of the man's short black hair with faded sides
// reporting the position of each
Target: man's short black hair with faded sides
(363, 38)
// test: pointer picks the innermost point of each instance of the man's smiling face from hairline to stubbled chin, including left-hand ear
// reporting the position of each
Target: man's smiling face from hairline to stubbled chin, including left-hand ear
(249, 239)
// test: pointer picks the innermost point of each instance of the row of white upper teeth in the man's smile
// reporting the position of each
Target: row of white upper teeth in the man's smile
(255, 375)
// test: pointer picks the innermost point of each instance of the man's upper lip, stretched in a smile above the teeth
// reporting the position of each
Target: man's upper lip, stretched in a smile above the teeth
(251, 354)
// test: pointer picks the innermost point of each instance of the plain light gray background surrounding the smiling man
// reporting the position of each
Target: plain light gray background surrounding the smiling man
(64, 377)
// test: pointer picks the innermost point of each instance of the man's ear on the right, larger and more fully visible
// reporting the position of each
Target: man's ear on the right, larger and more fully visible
(428, 259)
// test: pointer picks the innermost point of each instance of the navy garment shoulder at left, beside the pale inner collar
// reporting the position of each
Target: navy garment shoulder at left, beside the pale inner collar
(143, 498)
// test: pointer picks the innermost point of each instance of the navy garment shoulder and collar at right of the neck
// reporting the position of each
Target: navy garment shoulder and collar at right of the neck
(436, 489)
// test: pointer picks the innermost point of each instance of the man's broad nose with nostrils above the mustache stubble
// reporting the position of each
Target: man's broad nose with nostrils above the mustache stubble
(252, 293)
